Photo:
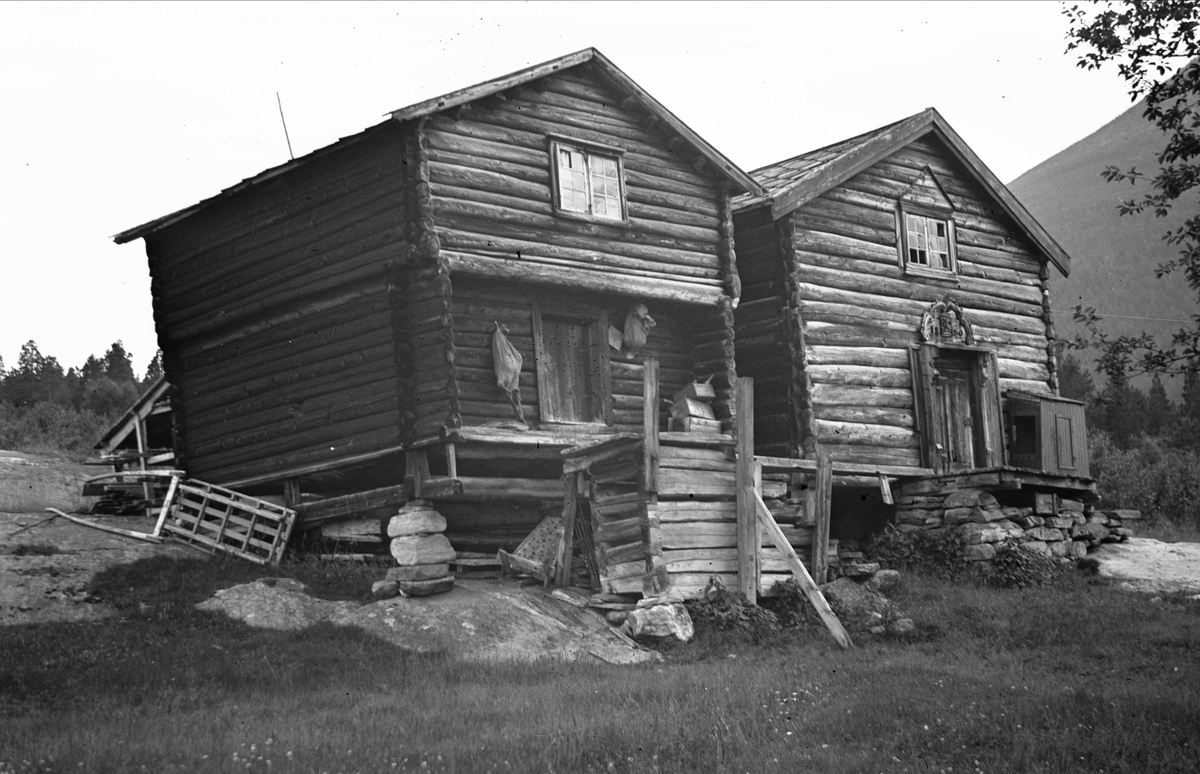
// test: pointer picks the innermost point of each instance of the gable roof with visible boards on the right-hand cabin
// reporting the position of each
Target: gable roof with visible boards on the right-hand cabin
(799, 181)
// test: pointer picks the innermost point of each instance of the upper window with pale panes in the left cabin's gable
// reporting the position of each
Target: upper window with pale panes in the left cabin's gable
(589, 182)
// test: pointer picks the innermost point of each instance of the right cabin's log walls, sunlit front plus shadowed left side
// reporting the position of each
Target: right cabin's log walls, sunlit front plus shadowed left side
(856, 313)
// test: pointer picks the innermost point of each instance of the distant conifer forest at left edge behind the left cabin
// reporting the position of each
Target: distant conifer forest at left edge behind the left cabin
(45, 409)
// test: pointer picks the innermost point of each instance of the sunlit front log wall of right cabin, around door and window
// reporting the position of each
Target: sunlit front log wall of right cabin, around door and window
(861, 311)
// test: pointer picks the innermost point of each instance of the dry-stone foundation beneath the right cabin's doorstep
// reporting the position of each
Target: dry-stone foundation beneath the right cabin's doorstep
(1066, 529)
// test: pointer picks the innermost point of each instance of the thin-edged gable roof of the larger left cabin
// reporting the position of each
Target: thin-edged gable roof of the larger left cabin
(610, 73)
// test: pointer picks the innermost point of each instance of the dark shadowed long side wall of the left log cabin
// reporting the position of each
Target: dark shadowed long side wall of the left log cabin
(275, 315)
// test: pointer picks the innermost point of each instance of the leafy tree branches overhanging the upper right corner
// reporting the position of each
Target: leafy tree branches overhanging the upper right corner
(1154, 44)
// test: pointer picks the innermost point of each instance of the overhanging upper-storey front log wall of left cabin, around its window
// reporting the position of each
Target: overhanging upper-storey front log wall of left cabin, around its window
(490, 173)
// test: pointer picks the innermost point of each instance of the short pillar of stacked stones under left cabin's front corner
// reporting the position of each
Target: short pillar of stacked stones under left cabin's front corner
(422, 551)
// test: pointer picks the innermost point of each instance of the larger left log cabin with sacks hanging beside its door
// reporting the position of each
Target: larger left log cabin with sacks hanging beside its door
(442, 304)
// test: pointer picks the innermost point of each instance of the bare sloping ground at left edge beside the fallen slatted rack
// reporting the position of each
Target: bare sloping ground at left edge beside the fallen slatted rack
(46, 568)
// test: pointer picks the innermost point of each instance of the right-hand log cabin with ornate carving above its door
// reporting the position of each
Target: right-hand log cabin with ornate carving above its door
(896, 313)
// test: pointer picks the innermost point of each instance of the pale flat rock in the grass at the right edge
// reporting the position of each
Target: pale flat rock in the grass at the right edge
(1154, 567)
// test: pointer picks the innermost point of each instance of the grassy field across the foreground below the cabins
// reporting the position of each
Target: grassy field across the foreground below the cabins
(1076, 677)
